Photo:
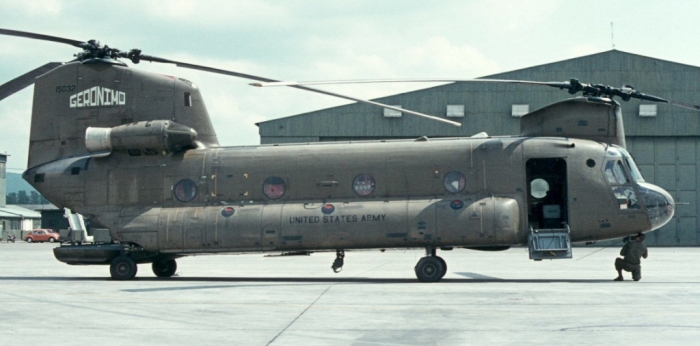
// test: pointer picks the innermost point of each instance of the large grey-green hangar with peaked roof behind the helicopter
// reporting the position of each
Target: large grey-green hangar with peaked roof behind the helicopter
(664, 140)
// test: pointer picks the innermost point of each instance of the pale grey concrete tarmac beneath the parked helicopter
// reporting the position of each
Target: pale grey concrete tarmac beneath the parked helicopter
(486, 298)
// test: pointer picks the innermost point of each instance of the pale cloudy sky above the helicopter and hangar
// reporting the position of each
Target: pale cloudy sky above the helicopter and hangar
(302, 40)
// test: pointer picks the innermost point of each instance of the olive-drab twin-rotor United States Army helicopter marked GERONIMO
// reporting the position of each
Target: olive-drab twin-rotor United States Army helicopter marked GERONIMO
(136, 153)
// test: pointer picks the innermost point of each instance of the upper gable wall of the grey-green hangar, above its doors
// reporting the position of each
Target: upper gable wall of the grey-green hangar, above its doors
(487, 106)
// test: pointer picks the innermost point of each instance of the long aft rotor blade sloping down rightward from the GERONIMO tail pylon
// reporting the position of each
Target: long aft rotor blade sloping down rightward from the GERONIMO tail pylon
(268, 80)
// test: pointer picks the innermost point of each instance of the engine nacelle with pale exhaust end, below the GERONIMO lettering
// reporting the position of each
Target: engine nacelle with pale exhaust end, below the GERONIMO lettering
(148, 136)
